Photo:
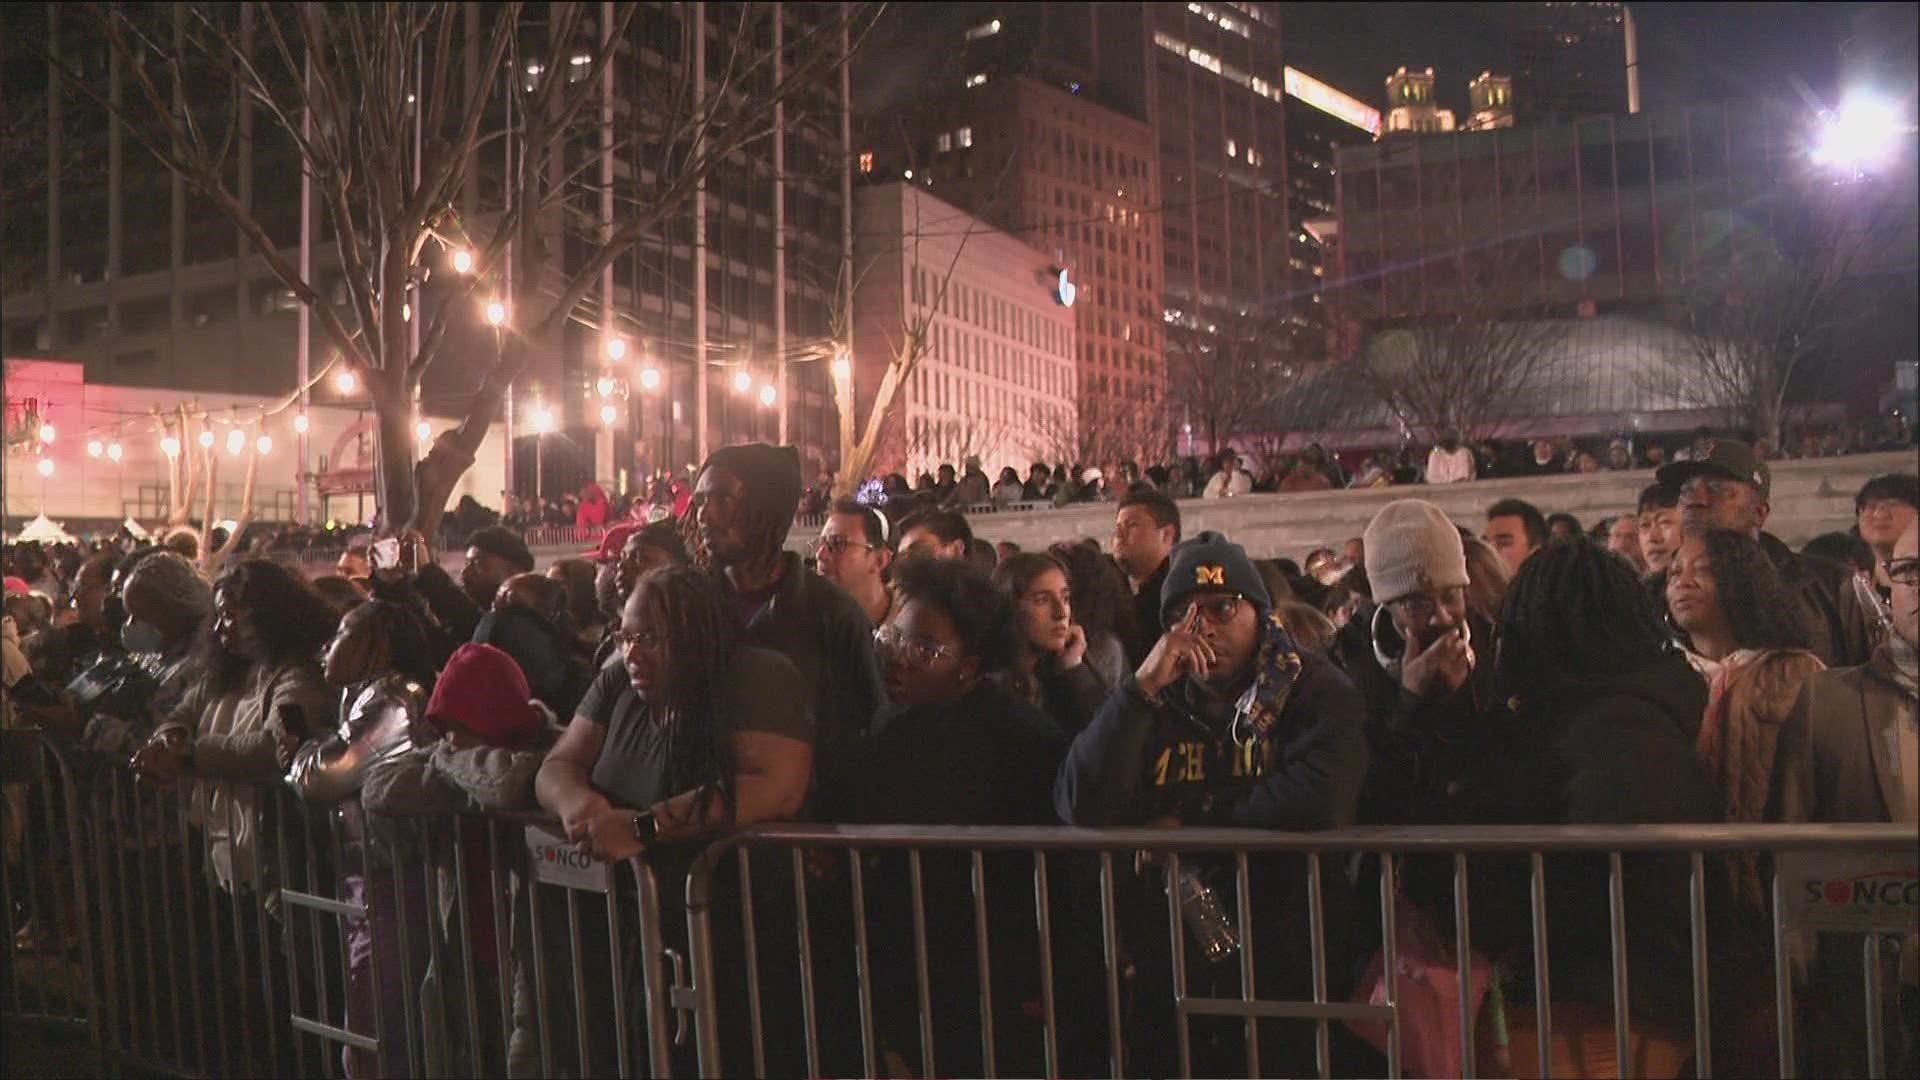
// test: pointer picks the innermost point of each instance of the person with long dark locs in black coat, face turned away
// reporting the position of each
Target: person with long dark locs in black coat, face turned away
(1602, 733)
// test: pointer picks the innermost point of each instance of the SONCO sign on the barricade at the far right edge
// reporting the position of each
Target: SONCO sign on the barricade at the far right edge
(1852, 891)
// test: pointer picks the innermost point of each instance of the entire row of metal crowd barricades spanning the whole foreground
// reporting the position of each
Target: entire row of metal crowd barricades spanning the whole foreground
(233, 929)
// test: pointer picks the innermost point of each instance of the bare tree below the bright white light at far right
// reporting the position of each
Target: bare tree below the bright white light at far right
(1767, 303)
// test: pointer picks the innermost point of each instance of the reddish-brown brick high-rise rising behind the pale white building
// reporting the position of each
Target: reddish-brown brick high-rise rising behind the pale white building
(1076, 182)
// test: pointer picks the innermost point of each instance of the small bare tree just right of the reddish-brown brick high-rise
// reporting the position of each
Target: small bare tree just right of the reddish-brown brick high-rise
(1226, 376)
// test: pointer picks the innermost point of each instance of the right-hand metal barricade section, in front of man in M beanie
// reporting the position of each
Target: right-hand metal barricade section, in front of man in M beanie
(921, 1018)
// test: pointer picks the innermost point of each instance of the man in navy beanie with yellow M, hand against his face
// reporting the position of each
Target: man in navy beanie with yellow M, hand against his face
(1226, 724)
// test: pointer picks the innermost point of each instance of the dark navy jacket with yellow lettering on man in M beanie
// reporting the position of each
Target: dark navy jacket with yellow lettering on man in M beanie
(1145, 758)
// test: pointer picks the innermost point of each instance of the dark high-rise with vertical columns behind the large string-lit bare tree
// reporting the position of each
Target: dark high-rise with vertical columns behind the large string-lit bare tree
(114, 262)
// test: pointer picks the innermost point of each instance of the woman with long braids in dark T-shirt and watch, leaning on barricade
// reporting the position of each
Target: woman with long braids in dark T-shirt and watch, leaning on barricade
(692, 737)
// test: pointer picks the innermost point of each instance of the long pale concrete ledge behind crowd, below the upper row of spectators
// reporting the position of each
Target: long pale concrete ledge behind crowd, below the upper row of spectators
(1808, 499)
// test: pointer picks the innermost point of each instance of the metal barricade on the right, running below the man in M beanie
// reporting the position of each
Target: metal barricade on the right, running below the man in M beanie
(1802, 858)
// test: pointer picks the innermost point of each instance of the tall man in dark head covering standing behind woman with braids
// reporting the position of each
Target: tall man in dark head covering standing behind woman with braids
(746, 501)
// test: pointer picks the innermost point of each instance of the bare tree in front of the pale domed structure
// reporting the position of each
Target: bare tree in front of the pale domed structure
(1477, 355)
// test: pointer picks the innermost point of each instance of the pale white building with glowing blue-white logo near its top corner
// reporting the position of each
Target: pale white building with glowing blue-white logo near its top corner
(999, 372)
